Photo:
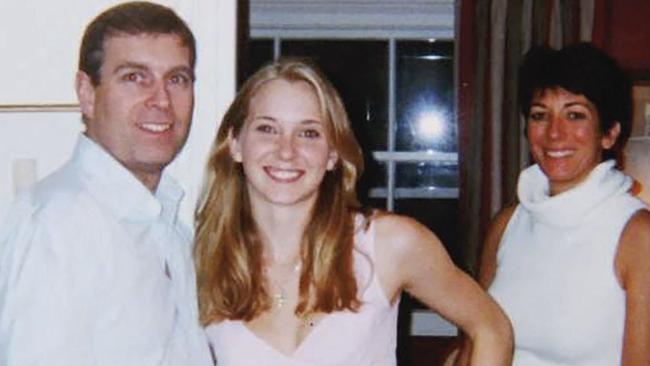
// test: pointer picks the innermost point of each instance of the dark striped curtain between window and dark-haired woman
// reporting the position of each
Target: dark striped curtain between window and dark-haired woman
(492, 36)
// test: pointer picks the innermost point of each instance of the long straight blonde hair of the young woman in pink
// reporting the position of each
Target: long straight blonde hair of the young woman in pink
(229, 253)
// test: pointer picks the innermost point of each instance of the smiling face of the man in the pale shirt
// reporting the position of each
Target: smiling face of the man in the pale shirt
(142, 108)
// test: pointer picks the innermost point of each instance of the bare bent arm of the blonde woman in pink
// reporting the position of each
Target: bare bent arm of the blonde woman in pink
(411, 258)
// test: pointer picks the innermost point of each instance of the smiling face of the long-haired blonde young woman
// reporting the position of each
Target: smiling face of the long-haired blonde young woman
(283, 145)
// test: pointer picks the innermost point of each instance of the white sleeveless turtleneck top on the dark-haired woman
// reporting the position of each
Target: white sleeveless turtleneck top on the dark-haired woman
(556, 276)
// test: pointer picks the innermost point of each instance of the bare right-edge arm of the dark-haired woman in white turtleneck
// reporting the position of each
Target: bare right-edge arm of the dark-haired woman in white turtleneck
(633, 270)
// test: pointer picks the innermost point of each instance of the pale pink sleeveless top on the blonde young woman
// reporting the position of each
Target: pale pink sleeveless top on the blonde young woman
(342, 338)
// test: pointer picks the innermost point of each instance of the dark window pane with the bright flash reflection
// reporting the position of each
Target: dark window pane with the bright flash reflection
(425, 96)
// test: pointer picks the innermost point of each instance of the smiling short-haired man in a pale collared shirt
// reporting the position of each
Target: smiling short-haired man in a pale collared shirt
(95, 268)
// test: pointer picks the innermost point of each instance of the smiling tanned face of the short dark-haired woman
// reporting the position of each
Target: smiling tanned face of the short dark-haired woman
(565, 138)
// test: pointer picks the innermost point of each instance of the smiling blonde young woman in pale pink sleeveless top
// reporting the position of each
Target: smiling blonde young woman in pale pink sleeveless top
(291, 271)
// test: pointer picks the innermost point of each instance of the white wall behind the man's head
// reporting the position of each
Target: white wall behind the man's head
(39, 42)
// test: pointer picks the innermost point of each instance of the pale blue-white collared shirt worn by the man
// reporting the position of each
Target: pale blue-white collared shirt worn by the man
(96, 270)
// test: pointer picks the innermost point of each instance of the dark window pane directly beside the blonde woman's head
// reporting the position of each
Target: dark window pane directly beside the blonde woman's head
(359, 71)
